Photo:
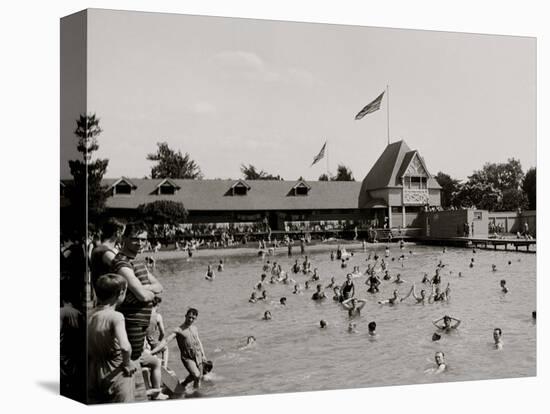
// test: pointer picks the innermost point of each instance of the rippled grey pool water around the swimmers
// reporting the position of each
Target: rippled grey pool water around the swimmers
(292, 353)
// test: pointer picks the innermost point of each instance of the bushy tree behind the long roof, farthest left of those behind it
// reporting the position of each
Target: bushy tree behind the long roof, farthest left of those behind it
(172, 164)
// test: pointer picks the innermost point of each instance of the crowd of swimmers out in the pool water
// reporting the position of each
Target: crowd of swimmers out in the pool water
(377, 273)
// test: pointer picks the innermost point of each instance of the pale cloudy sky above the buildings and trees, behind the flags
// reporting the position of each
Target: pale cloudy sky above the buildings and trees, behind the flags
(241, 91)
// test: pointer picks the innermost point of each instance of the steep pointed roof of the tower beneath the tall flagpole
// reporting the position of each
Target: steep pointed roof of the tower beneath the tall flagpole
(391, 165)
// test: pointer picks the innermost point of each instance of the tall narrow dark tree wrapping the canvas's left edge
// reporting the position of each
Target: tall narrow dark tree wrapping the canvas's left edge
(86, 191)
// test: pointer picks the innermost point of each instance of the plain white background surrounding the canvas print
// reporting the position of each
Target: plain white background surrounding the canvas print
(29, 99)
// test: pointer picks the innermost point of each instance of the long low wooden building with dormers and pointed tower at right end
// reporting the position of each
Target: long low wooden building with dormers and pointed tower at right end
(392, 194)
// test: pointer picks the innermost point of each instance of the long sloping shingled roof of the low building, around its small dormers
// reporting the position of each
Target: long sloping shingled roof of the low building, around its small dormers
(210, 195)
